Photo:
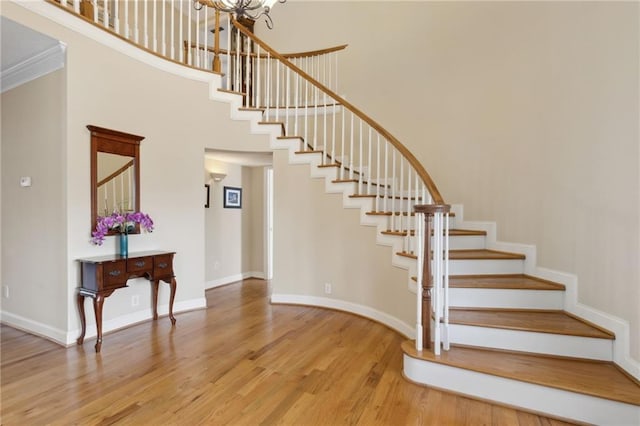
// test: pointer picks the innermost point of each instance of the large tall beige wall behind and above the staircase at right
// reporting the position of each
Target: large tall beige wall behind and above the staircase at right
(524, 112)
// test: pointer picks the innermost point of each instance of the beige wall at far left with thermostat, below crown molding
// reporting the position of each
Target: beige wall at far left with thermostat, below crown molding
(34, 227)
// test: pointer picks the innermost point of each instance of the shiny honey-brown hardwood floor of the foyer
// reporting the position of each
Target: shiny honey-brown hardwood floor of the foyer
(242, 361)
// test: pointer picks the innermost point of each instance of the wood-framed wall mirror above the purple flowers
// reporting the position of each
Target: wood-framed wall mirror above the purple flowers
(115, 173)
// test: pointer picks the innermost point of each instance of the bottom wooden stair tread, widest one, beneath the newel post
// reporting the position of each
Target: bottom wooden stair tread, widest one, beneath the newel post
(595, 378)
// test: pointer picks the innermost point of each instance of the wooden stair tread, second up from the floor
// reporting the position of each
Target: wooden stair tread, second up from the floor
(554, 322)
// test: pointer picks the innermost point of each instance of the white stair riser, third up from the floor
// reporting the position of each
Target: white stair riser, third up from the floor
(505, 298)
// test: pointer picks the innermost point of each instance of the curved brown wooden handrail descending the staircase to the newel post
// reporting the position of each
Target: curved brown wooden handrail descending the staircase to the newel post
(417, 166)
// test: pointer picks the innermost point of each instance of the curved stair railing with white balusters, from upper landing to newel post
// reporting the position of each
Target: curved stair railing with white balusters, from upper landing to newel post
(364, 153)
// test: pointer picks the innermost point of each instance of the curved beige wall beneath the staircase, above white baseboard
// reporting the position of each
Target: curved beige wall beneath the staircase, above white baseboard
(317, 241)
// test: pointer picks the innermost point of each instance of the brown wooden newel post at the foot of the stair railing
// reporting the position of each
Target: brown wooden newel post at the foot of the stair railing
(429, 211)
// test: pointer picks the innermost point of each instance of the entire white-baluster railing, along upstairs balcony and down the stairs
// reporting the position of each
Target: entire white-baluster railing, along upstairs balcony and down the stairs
(300, 93)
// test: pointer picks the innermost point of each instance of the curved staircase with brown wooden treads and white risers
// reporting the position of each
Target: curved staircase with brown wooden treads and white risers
(512, 341)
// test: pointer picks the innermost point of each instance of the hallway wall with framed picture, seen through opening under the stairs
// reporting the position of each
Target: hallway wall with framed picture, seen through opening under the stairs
(234, 237)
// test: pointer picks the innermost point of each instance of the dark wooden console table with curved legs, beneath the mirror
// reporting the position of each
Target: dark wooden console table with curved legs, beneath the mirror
(103, 275)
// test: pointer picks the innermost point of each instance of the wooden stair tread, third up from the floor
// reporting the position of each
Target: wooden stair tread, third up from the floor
(504, 281)
